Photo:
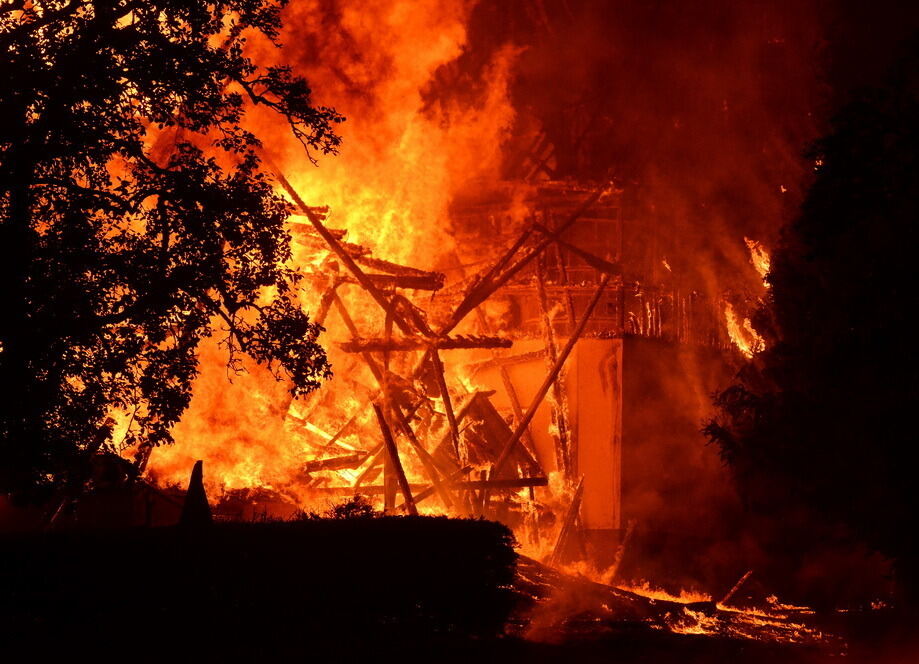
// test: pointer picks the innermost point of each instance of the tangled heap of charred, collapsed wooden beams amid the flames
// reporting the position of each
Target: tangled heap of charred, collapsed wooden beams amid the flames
(468, 456)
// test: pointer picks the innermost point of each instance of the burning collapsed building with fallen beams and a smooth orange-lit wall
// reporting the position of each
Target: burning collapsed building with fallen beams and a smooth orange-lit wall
(499, 395)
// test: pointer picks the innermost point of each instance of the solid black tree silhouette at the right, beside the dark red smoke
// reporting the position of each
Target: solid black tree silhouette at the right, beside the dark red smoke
(821, 426)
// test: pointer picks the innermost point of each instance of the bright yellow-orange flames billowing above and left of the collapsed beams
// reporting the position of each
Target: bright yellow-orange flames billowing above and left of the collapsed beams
(400, 166)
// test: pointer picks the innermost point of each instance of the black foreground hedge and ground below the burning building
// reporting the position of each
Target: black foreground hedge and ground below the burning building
(402, 589)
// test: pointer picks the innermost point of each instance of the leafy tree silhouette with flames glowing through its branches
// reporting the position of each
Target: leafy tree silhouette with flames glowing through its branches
(134, 214)
